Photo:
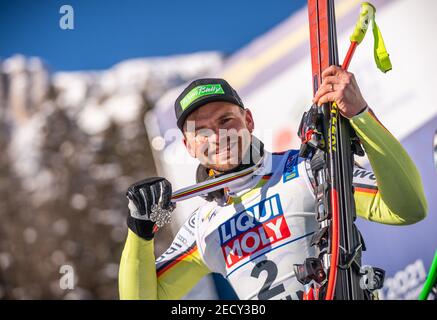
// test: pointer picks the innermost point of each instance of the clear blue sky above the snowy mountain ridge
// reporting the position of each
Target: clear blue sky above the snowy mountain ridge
(107, 32)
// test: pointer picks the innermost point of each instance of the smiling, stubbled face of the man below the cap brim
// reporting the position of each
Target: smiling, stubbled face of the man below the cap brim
(218, 134)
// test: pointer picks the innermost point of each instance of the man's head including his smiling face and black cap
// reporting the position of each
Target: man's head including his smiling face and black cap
(217, 128)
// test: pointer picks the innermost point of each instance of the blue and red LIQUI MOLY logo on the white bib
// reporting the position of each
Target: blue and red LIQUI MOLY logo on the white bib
(252, 230)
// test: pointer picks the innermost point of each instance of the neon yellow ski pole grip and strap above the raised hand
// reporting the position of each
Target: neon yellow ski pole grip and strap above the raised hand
(367, 15)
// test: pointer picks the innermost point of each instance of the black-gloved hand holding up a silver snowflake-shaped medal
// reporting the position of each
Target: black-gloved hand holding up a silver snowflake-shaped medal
(150, 206)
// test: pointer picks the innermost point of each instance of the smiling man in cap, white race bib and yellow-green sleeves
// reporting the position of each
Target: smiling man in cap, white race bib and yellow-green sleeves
(253, 230)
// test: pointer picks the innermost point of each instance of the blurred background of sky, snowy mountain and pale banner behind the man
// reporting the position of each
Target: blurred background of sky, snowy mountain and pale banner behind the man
(86, 109)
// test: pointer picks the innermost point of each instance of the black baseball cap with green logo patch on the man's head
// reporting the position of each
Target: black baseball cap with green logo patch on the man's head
(203, 91)
